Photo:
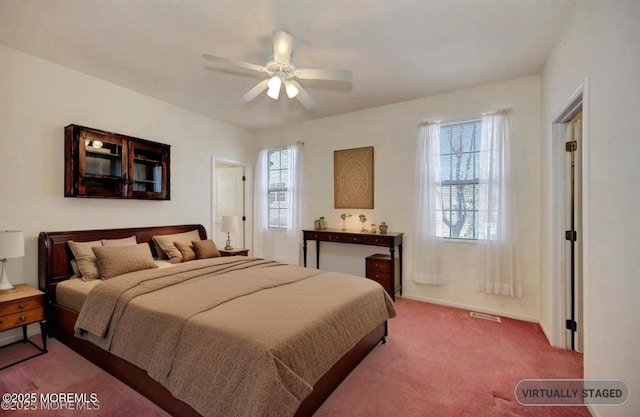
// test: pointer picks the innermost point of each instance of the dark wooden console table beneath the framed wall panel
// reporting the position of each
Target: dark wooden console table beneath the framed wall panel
(388, 240)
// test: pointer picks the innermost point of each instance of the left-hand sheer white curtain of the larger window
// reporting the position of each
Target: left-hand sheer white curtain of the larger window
(427, 256)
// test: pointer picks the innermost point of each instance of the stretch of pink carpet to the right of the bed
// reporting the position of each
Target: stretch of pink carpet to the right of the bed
(440, 362)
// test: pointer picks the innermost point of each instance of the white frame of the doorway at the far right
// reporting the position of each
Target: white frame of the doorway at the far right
(558, 207)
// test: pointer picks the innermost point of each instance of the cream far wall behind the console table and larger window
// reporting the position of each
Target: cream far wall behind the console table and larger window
(392, 130)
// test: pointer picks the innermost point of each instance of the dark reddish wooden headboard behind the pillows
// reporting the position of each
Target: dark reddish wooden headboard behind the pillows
(54, 255)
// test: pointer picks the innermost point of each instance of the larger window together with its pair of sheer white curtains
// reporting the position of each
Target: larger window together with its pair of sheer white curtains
(464, 190)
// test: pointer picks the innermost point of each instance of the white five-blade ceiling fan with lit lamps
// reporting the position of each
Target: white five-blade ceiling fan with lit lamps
(281, 71)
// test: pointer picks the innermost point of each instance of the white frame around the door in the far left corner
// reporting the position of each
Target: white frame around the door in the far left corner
(248, 195)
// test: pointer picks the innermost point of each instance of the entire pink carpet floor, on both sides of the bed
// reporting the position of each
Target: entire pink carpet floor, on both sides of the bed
(437, 362)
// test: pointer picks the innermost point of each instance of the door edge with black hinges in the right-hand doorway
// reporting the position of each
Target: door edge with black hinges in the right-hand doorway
(573, 232)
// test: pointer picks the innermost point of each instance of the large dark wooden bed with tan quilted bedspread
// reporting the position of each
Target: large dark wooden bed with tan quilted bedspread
(310, 391)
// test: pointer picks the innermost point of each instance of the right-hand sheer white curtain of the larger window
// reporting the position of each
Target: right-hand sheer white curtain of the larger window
(496, 211)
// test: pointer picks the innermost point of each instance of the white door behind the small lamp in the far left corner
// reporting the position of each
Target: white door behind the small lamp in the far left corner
(230, 202)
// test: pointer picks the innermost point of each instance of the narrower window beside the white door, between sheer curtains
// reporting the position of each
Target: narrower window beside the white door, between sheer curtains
(278, 185)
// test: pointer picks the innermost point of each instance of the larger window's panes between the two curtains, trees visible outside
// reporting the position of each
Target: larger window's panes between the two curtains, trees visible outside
(460, 178)
